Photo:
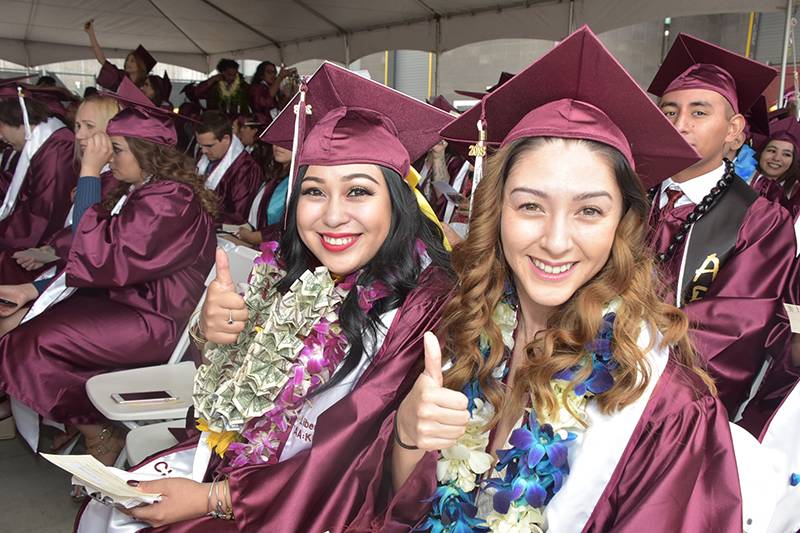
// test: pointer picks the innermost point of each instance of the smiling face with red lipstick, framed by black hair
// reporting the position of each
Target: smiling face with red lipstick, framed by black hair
(344, 214)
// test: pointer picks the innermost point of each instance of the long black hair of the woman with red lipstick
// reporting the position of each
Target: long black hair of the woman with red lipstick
(395, 265)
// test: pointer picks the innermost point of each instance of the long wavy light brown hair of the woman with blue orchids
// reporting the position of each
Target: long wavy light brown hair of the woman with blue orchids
(629, 276)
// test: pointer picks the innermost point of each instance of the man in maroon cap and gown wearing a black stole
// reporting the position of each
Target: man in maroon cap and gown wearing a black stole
(726, 252)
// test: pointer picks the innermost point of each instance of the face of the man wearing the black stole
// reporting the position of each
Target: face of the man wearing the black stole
(707, 122)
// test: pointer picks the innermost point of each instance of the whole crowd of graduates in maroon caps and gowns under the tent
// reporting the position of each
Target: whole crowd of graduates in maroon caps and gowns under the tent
(573, 207)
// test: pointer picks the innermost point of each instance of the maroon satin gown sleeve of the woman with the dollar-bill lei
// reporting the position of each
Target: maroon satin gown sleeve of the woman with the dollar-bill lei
(323, 487)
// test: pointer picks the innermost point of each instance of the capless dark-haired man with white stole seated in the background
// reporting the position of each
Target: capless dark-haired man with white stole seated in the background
(229, 169)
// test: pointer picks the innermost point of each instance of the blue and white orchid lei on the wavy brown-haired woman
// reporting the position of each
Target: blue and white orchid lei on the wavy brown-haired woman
(536, 466)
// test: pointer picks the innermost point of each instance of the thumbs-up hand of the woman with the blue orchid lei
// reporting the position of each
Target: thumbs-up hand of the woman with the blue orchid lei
(432, 417)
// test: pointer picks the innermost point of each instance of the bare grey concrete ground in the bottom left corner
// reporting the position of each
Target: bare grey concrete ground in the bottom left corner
(35, 493)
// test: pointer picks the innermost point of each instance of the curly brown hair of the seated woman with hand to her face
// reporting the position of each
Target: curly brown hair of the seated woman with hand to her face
(165, 163)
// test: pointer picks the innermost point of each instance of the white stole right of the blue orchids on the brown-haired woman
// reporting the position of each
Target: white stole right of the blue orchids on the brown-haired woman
(598, 451)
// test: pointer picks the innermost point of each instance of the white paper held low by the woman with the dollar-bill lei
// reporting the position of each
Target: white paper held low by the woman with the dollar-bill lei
(106, 482)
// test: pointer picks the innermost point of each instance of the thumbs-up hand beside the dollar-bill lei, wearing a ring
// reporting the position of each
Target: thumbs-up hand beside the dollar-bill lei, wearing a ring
(224, 312)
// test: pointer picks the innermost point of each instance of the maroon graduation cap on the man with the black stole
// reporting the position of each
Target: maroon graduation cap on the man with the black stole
(696, 64)
